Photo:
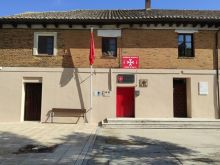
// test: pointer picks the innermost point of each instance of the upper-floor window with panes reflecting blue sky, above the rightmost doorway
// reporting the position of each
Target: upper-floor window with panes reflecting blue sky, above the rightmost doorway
(185, 45)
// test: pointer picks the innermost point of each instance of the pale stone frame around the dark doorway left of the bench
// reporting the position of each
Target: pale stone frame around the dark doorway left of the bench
(24, 81)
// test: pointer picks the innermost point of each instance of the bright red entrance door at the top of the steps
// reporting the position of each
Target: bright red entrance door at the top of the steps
(125, 102)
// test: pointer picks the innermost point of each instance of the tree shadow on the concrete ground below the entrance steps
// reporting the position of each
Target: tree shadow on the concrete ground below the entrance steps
(141, 150)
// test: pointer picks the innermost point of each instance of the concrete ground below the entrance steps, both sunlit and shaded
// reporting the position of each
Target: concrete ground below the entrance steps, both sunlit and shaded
(156, 147)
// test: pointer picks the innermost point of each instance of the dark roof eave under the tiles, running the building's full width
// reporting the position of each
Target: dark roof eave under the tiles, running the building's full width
(108, 21)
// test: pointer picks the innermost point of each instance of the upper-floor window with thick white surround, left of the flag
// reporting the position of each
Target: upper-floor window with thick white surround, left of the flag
(45, 43)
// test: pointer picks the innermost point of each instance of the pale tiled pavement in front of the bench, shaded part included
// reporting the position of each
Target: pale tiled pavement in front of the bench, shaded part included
(73, 142)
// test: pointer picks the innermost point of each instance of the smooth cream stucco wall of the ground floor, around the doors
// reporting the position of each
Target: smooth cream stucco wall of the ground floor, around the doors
(63, 88)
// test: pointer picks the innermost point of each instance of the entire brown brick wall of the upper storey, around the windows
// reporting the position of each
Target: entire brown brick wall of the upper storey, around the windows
(156, 49)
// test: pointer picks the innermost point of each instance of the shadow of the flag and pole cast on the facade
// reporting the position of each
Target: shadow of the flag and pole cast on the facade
(68, 74)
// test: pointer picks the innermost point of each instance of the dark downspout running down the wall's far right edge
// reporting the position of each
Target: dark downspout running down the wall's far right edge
(217, 70)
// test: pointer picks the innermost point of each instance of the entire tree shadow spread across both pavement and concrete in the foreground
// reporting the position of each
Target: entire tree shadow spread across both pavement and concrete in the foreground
(133, 149)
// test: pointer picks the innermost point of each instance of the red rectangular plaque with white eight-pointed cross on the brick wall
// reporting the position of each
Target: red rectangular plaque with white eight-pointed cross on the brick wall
(130, 62)
